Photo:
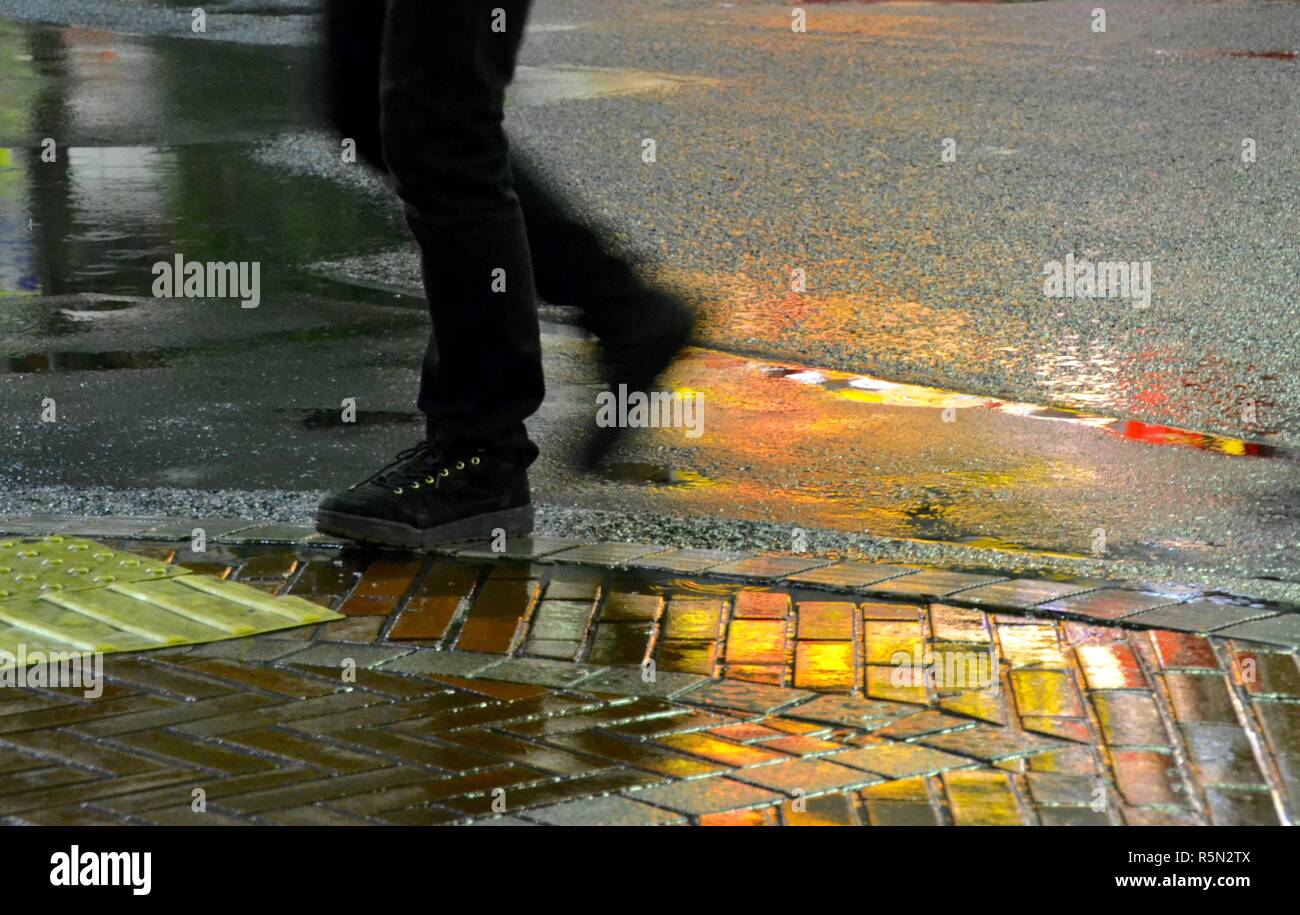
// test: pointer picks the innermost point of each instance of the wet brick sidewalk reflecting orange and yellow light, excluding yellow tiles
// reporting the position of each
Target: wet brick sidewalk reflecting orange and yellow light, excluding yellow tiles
(630, 684)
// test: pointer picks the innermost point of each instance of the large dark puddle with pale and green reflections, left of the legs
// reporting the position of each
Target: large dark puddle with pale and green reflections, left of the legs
(99, 216)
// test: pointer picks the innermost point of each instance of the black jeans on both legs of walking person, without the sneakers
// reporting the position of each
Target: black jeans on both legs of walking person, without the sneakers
(421, 86)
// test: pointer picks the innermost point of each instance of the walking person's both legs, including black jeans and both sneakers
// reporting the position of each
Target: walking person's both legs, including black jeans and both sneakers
(421, 88)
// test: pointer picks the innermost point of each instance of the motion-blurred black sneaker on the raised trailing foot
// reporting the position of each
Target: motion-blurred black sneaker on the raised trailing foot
(636, 355)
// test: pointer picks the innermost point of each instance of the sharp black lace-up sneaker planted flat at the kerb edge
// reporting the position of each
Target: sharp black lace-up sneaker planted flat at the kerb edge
(427, 497)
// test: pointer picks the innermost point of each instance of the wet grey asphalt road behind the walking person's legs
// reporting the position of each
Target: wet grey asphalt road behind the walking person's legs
(822, 155)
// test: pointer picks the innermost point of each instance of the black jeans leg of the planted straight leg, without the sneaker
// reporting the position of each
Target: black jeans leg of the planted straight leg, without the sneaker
(445, 72)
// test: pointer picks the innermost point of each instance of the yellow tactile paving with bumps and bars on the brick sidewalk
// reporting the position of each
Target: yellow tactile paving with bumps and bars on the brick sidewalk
(77, 596)
